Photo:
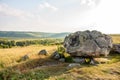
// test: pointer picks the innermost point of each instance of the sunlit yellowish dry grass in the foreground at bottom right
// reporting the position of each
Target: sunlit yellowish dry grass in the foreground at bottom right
(100, 72)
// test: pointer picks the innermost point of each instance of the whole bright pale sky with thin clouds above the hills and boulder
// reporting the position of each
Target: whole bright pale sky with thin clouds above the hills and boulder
(60, 15)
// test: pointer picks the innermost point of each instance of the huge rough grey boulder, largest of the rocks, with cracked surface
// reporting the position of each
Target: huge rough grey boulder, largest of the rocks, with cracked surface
(88, 43)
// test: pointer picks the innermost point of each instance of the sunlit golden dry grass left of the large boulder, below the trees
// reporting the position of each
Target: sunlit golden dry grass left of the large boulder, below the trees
(9, 57)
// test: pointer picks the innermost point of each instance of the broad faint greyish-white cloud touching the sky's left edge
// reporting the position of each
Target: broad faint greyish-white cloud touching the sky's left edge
(9, 11)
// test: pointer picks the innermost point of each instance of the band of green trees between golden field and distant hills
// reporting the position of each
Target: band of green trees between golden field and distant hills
(12, 43)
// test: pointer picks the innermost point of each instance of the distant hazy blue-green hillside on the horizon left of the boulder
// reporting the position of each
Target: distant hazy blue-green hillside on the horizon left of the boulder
(22, 34)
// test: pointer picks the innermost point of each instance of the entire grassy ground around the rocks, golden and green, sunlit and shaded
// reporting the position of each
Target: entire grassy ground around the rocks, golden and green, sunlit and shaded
(40, 67)
